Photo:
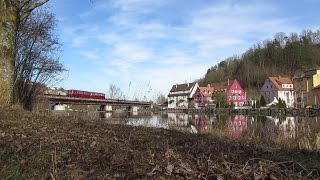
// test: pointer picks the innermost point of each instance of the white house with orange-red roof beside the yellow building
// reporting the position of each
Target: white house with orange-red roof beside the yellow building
(279, 88)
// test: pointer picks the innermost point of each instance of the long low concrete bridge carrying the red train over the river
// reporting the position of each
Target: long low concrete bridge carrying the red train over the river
(104, 104)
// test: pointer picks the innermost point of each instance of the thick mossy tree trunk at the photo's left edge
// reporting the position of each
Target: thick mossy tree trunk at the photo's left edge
(12, 13)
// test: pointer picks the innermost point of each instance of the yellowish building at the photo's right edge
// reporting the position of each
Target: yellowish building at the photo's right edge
(305, 85)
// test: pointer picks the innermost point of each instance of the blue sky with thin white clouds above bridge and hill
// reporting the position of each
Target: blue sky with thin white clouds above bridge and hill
(145, 46)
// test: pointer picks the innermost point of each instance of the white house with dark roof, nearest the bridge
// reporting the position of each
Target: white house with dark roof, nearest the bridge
(181, 95)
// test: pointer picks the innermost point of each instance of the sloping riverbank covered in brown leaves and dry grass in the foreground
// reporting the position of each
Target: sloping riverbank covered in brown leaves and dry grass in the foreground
(41, 146)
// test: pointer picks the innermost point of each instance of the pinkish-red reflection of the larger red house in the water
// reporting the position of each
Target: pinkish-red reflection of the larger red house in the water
(237, 125)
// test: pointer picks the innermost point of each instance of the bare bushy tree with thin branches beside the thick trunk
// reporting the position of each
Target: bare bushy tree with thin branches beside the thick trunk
(37, 63)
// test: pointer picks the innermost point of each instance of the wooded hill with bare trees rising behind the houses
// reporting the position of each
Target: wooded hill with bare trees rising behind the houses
(285, 55)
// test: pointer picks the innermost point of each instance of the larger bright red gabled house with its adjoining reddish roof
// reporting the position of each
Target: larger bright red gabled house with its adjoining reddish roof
(233, 90)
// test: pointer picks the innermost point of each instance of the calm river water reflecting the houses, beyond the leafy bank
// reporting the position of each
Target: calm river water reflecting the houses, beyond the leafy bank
(300, 132)
